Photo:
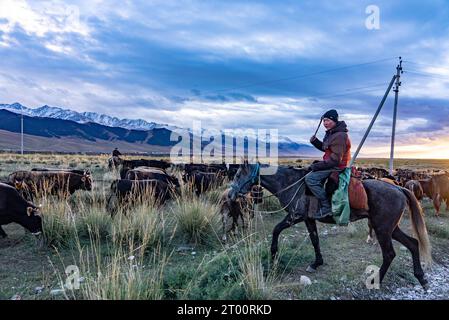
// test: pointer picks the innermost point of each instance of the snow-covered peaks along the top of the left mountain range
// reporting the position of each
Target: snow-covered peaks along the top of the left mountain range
(84, 117)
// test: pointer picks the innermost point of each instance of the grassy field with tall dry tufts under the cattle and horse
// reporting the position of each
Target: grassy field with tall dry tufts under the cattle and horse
(174, 251)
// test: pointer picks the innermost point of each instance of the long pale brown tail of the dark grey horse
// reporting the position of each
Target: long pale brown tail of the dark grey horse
(419, 227)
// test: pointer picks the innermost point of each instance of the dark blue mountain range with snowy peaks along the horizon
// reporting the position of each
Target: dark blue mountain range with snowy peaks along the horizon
(51, 123)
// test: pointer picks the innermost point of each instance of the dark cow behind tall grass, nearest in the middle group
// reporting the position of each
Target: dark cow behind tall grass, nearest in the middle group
(126, 191)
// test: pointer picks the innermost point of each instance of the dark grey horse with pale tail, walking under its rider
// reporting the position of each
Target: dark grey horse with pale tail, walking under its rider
(387, 204)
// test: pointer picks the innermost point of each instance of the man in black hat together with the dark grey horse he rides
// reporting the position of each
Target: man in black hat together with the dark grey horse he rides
(387, 202)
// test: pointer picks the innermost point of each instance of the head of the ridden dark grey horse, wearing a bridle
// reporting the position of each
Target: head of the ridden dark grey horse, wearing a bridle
(247, 175)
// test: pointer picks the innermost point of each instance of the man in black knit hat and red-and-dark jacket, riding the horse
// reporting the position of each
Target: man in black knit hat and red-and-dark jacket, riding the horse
(337, 153)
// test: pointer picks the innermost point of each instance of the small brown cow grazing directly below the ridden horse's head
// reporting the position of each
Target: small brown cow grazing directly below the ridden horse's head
(242, 208)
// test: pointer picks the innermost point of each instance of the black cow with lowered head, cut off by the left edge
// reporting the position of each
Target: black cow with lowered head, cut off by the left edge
(14, 208)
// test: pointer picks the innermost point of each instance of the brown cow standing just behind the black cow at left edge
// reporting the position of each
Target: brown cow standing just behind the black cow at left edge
(51, 182)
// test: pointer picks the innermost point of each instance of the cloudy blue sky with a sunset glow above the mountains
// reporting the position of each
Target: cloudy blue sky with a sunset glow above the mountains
(236, 64)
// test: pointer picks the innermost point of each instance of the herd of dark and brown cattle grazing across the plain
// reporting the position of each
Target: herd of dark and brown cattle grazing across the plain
(138, 177)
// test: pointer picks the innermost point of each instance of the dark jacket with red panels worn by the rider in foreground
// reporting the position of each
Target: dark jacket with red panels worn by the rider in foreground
(336, 146)
